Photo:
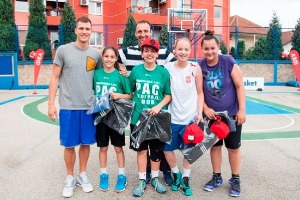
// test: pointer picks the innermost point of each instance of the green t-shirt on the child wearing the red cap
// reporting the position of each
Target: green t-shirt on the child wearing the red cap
(149, 87)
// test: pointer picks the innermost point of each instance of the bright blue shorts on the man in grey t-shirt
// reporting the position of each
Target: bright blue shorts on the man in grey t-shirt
(76, 127)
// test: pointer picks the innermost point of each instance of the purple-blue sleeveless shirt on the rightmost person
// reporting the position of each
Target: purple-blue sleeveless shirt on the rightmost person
(218, 87)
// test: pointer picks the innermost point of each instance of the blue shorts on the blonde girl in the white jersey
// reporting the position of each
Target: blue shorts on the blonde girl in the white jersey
(176, 138)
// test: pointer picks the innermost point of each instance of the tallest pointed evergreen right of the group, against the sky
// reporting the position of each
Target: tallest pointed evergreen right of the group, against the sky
(274, 45)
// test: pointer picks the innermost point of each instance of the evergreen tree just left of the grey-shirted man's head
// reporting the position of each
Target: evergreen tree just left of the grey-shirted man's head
(67, 25)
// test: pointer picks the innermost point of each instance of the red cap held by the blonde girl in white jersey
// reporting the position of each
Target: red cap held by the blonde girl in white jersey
(193, 134)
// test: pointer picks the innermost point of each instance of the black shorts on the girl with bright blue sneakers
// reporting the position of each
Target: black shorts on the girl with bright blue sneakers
(103, 133)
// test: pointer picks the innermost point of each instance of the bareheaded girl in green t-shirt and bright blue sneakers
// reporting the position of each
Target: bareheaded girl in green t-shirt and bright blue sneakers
(108, 79)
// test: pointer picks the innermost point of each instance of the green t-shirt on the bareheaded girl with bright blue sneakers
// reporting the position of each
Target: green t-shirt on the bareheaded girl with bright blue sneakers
(110, 82)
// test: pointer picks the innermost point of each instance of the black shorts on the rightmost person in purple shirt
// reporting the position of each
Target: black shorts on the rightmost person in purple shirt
(233, 140)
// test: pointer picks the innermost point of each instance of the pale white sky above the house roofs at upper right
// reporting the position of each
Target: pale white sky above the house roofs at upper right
(261, 11)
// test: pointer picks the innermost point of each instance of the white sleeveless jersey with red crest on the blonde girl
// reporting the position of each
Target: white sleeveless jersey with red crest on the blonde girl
(183, 107)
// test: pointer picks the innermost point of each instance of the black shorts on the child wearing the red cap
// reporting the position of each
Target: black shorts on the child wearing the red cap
(154, 145)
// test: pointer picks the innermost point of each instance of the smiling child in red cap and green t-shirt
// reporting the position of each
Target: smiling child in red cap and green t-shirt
(151, 86)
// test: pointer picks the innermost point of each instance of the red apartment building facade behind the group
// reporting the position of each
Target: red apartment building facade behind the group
(109, 18)
